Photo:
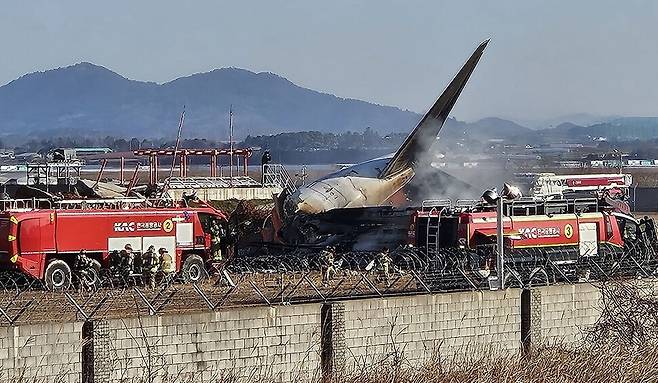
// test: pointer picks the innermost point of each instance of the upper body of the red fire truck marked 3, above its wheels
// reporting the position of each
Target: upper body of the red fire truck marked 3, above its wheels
(527, 224)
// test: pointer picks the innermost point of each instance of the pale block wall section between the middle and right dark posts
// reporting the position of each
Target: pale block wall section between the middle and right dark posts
(418, 327)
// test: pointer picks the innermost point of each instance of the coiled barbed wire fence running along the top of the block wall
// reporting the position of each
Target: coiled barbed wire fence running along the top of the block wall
(290, 276)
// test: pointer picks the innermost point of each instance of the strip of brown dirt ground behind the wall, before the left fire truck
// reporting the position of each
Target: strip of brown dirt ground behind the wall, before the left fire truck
(256, 289)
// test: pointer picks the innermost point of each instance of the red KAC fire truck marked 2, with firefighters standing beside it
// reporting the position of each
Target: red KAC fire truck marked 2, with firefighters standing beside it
(44, 243)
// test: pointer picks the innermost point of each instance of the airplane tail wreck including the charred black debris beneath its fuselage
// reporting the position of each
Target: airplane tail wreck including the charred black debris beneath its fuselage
(328, 205)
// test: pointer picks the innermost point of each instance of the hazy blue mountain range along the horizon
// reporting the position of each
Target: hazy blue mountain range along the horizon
(89, 100)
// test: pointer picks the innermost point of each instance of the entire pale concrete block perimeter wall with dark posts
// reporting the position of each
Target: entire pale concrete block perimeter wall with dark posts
(297, 342)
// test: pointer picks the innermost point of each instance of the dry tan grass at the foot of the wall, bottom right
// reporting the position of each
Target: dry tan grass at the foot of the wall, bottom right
(557, 364)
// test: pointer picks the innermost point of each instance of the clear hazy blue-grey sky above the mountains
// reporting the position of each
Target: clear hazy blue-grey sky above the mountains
(545, 59)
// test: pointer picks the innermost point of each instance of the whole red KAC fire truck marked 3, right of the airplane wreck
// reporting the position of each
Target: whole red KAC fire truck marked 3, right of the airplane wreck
(537, 234)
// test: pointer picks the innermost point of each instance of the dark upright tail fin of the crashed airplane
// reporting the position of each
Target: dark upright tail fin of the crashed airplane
(425, 133)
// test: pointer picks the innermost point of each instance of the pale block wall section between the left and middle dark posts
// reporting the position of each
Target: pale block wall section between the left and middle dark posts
(279, 342)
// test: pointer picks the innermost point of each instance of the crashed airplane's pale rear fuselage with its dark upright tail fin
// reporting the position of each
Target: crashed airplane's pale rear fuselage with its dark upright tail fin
(372, 183)
